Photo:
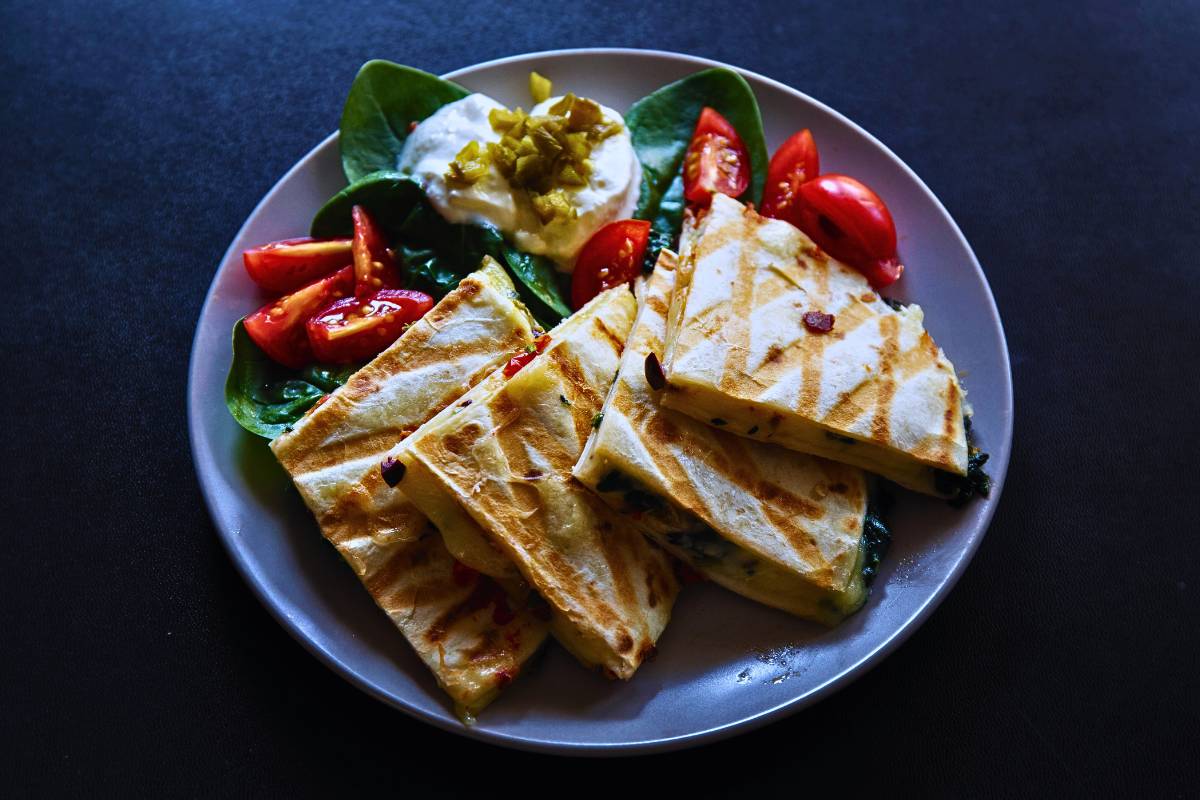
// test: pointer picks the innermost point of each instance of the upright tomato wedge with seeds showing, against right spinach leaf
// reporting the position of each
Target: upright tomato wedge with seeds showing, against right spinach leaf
(717, 161)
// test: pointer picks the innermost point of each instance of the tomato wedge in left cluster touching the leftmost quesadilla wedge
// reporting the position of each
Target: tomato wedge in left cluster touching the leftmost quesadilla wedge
(355, 330)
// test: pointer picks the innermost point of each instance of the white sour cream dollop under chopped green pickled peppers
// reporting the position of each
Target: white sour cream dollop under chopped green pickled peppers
(611, 193)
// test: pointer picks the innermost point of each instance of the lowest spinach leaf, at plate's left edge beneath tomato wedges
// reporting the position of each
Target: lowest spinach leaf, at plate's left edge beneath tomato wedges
(266, 398)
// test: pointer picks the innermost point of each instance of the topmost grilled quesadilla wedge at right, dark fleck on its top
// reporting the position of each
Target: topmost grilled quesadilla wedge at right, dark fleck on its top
(875, 392)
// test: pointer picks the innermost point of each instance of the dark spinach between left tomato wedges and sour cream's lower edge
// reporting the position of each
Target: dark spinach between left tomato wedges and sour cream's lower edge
(434, 254)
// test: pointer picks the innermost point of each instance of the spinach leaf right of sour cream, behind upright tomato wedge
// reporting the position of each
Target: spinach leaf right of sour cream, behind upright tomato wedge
(662, 125)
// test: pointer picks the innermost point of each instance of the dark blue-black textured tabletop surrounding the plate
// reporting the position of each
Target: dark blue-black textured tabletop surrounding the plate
(137, 137)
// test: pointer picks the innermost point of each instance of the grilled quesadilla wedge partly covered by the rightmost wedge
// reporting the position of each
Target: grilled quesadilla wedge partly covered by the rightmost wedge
(778, 527)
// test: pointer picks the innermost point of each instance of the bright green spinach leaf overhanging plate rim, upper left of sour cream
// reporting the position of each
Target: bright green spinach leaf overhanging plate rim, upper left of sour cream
(386, 99)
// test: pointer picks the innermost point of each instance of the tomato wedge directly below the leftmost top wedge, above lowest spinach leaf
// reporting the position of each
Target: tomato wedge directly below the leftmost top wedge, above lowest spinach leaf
(279, 327)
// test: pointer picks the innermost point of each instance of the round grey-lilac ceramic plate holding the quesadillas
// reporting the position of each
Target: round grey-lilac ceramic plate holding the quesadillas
(725, 665)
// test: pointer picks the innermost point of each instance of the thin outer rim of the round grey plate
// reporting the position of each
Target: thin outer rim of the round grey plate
(201, 462)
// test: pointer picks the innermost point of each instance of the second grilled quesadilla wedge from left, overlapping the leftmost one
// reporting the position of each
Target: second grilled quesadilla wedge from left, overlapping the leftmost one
(501, 466)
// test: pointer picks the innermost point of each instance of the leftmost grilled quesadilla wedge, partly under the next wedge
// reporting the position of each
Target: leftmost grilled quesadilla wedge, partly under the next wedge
(461, 625)
